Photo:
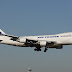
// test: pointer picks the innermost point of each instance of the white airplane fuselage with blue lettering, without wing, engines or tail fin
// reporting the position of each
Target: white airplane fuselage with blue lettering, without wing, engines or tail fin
(62, 39)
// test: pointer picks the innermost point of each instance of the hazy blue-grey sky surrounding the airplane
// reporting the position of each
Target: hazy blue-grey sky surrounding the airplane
(35, 17)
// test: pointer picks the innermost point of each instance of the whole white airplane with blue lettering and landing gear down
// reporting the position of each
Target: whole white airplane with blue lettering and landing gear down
(48, 41)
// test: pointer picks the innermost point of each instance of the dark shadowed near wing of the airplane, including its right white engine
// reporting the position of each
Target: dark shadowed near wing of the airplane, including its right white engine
(40, 43)
